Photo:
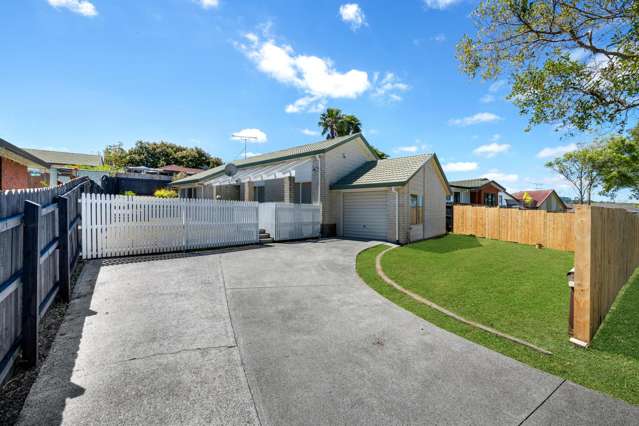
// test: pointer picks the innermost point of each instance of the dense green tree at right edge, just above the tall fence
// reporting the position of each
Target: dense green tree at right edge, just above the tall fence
(618, 164)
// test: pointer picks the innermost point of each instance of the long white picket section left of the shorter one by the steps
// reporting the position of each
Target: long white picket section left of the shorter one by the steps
(117, 225)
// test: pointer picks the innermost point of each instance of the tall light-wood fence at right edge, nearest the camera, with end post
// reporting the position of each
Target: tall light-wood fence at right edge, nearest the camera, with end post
(606, 255)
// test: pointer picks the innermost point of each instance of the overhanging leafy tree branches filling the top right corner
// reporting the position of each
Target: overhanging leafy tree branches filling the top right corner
(574, 62)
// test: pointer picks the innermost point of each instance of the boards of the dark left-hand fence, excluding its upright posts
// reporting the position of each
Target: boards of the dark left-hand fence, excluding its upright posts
(12, 205)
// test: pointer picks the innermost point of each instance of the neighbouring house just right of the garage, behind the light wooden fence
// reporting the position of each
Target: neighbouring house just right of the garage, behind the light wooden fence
(481, 192)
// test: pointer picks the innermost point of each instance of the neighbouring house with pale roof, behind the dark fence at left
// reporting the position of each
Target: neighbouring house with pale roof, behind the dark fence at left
(68, 165)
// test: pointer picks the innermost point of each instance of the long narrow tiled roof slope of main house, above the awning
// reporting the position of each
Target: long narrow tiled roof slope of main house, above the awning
(285, 154)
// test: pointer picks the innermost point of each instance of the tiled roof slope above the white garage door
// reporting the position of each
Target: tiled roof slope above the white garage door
(389, 172)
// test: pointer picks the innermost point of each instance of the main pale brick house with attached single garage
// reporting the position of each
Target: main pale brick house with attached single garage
(400, 199)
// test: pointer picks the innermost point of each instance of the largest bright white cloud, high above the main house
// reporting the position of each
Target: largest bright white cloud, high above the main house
(316, 77)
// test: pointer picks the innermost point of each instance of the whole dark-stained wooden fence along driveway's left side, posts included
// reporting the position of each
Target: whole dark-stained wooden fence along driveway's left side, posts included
(34, 247)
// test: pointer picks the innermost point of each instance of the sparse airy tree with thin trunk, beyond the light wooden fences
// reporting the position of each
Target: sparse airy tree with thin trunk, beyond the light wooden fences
(580, 169)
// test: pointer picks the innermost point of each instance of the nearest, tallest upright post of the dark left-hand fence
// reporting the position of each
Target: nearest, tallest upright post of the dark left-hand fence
(30, 279)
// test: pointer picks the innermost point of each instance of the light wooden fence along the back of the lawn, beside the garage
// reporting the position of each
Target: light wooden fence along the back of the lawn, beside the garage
(552, 230)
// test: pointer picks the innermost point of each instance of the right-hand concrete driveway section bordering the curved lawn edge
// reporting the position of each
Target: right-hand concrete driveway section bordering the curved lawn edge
(320, 347)
